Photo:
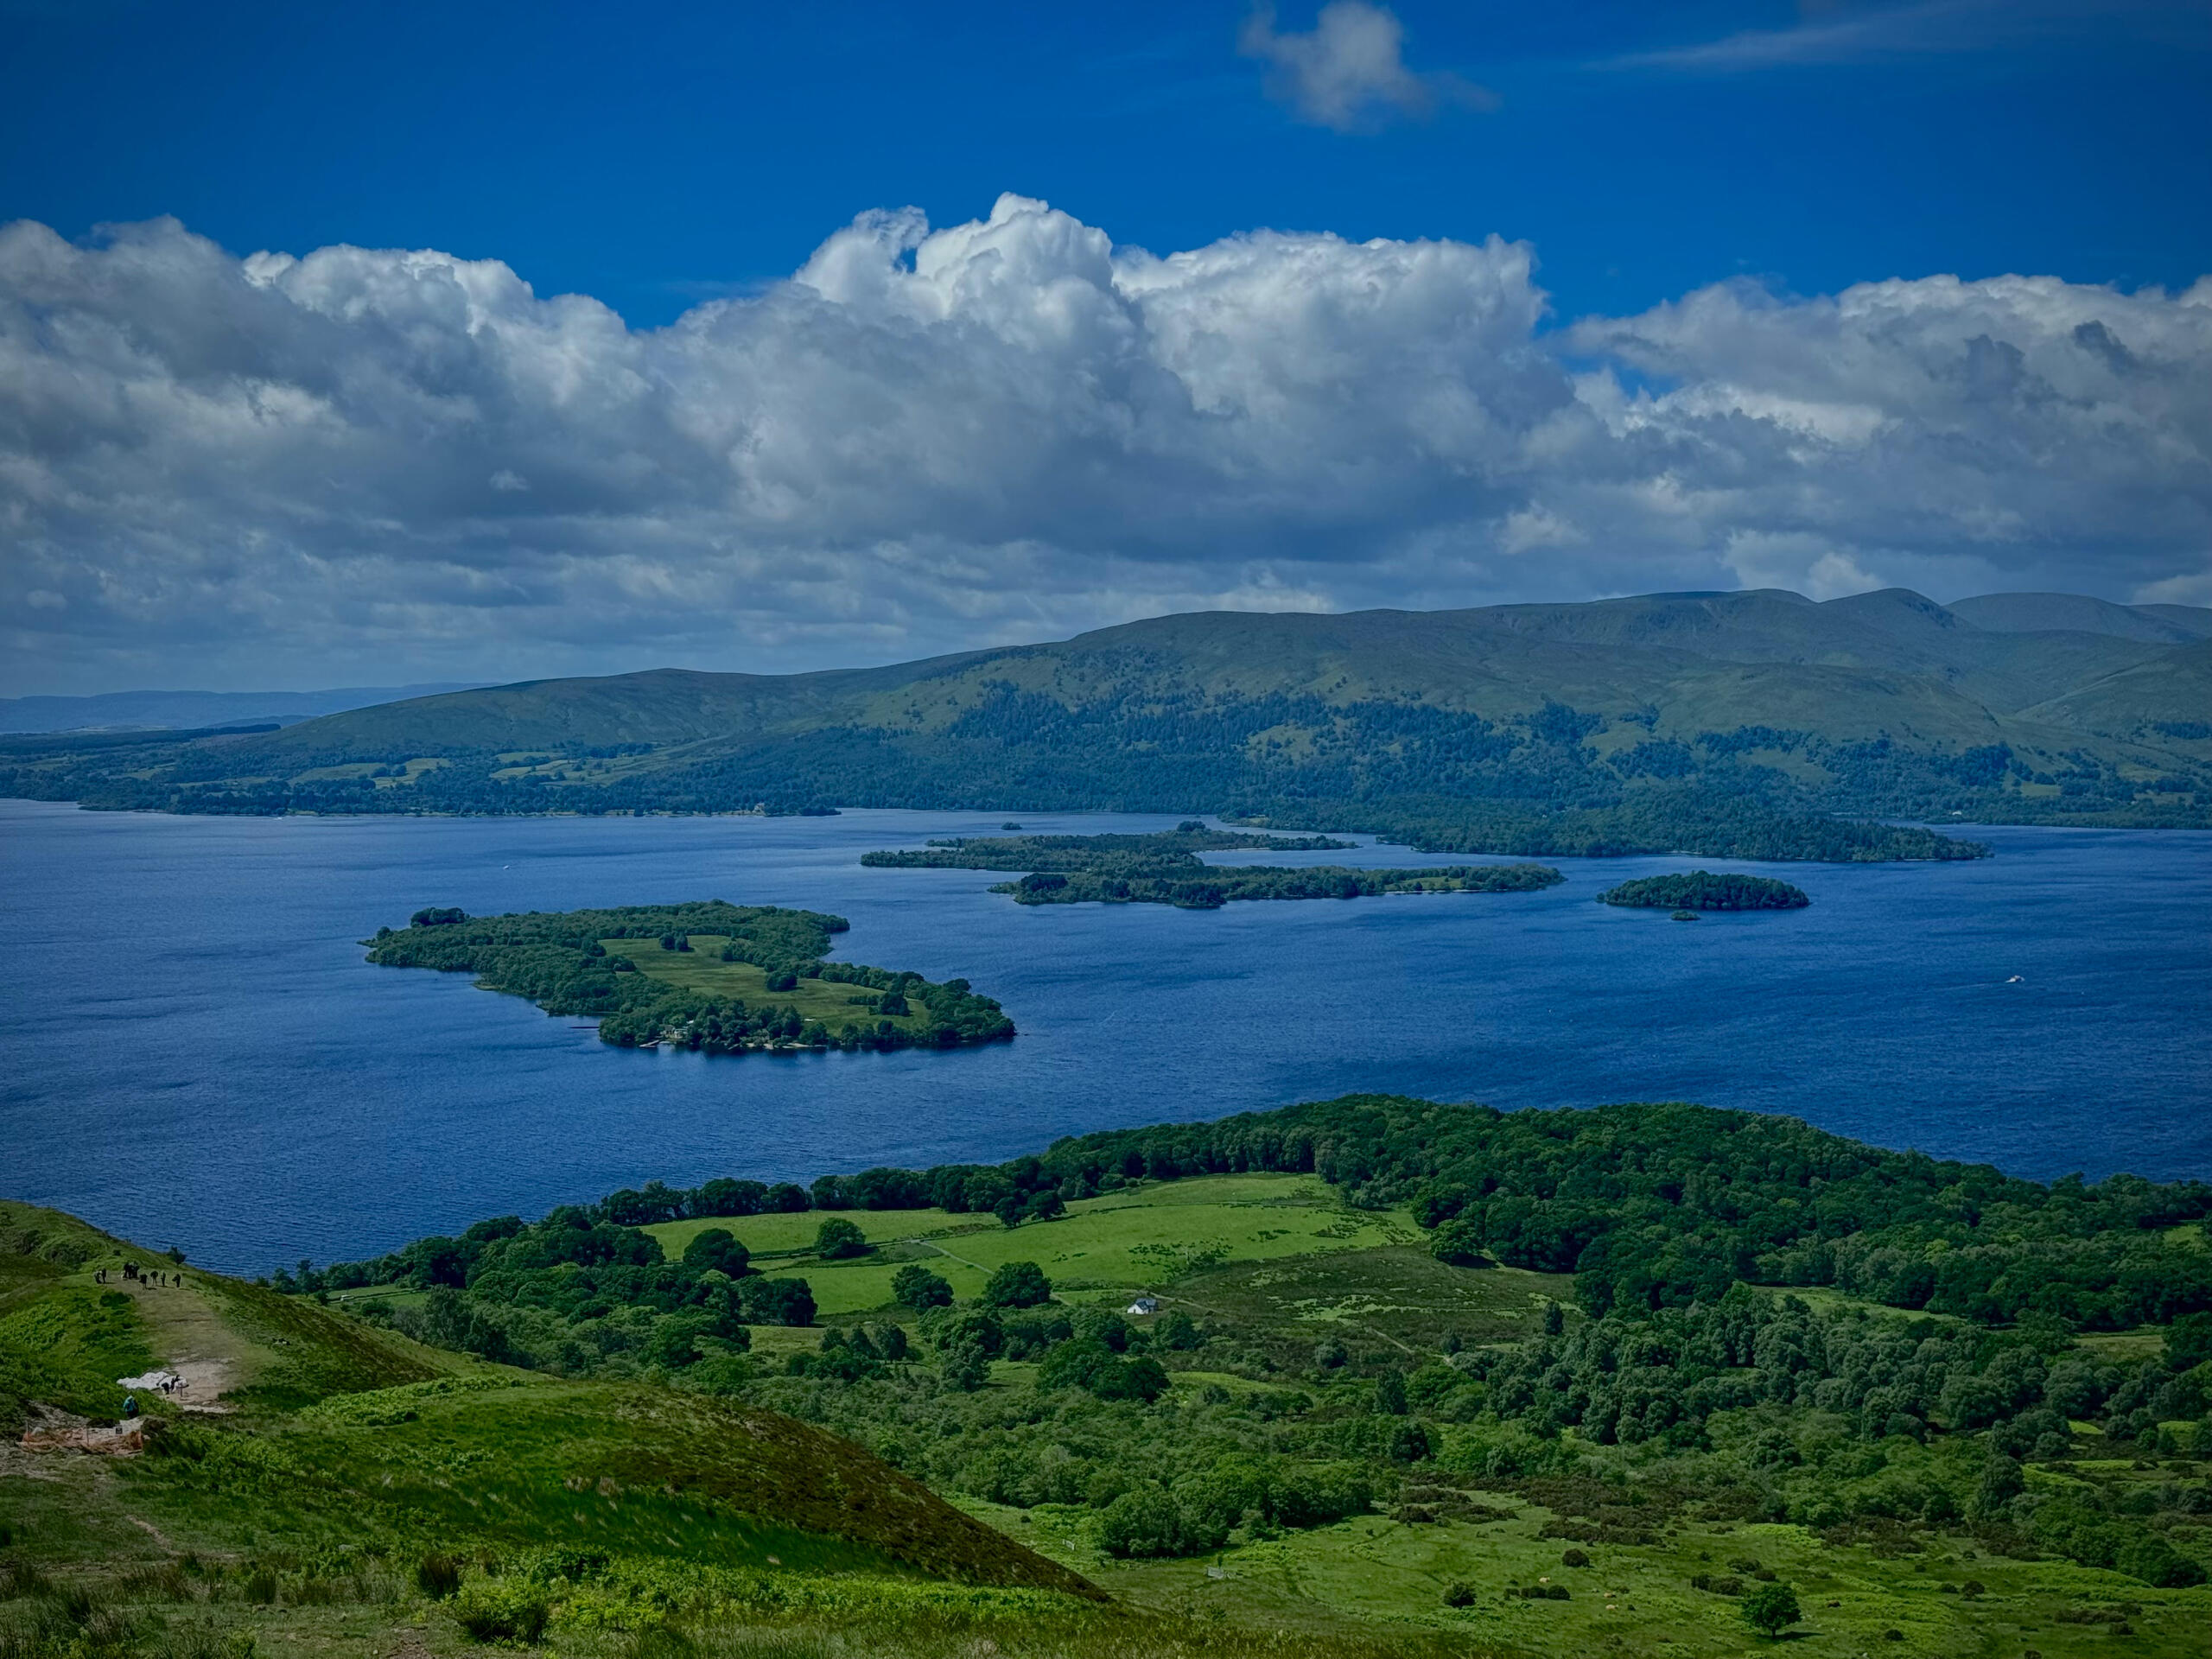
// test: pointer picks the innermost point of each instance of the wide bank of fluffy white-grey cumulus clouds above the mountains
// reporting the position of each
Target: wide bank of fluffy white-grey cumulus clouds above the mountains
(269, 470)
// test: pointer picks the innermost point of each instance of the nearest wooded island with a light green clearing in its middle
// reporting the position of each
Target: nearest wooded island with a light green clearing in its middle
(711, 977)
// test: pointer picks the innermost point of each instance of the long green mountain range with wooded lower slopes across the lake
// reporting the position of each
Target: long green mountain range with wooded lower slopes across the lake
(1713, 722)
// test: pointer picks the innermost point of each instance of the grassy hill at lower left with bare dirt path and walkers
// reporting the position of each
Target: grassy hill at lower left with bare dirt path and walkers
(311, 1461)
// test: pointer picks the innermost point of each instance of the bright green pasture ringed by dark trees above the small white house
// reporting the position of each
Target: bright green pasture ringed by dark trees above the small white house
(1109, 1246)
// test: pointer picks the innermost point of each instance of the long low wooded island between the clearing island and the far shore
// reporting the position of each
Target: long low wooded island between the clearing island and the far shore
(1167, 870)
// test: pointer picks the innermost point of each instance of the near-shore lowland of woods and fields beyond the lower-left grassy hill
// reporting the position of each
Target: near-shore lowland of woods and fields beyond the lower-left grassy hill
(1534, 1384)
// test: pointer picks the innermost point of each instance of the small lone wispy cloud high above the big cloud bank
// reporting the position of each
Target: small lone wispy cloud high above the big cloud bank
(1350, 72)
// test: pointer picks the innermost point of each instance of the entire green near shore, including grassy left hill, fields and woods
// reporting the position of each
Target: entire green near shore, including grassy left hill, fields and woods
(1361, 1377)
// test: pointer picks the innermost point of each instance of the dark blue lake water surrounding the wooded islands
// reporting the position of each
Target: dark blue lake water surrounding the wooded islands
(196, 1052)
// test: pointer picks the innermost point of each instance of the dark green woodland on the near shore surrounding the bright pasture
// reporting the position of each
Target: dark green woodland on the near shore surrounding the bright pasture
(1742, 1319)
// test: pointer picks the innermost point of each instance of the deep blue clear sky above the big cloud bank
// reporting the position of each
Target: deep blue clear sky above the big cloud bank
(658, 154)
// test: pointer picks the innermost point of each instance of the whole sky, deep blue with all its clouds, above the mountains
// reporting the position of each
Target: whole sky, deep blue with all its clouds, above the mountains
(486, 342)
